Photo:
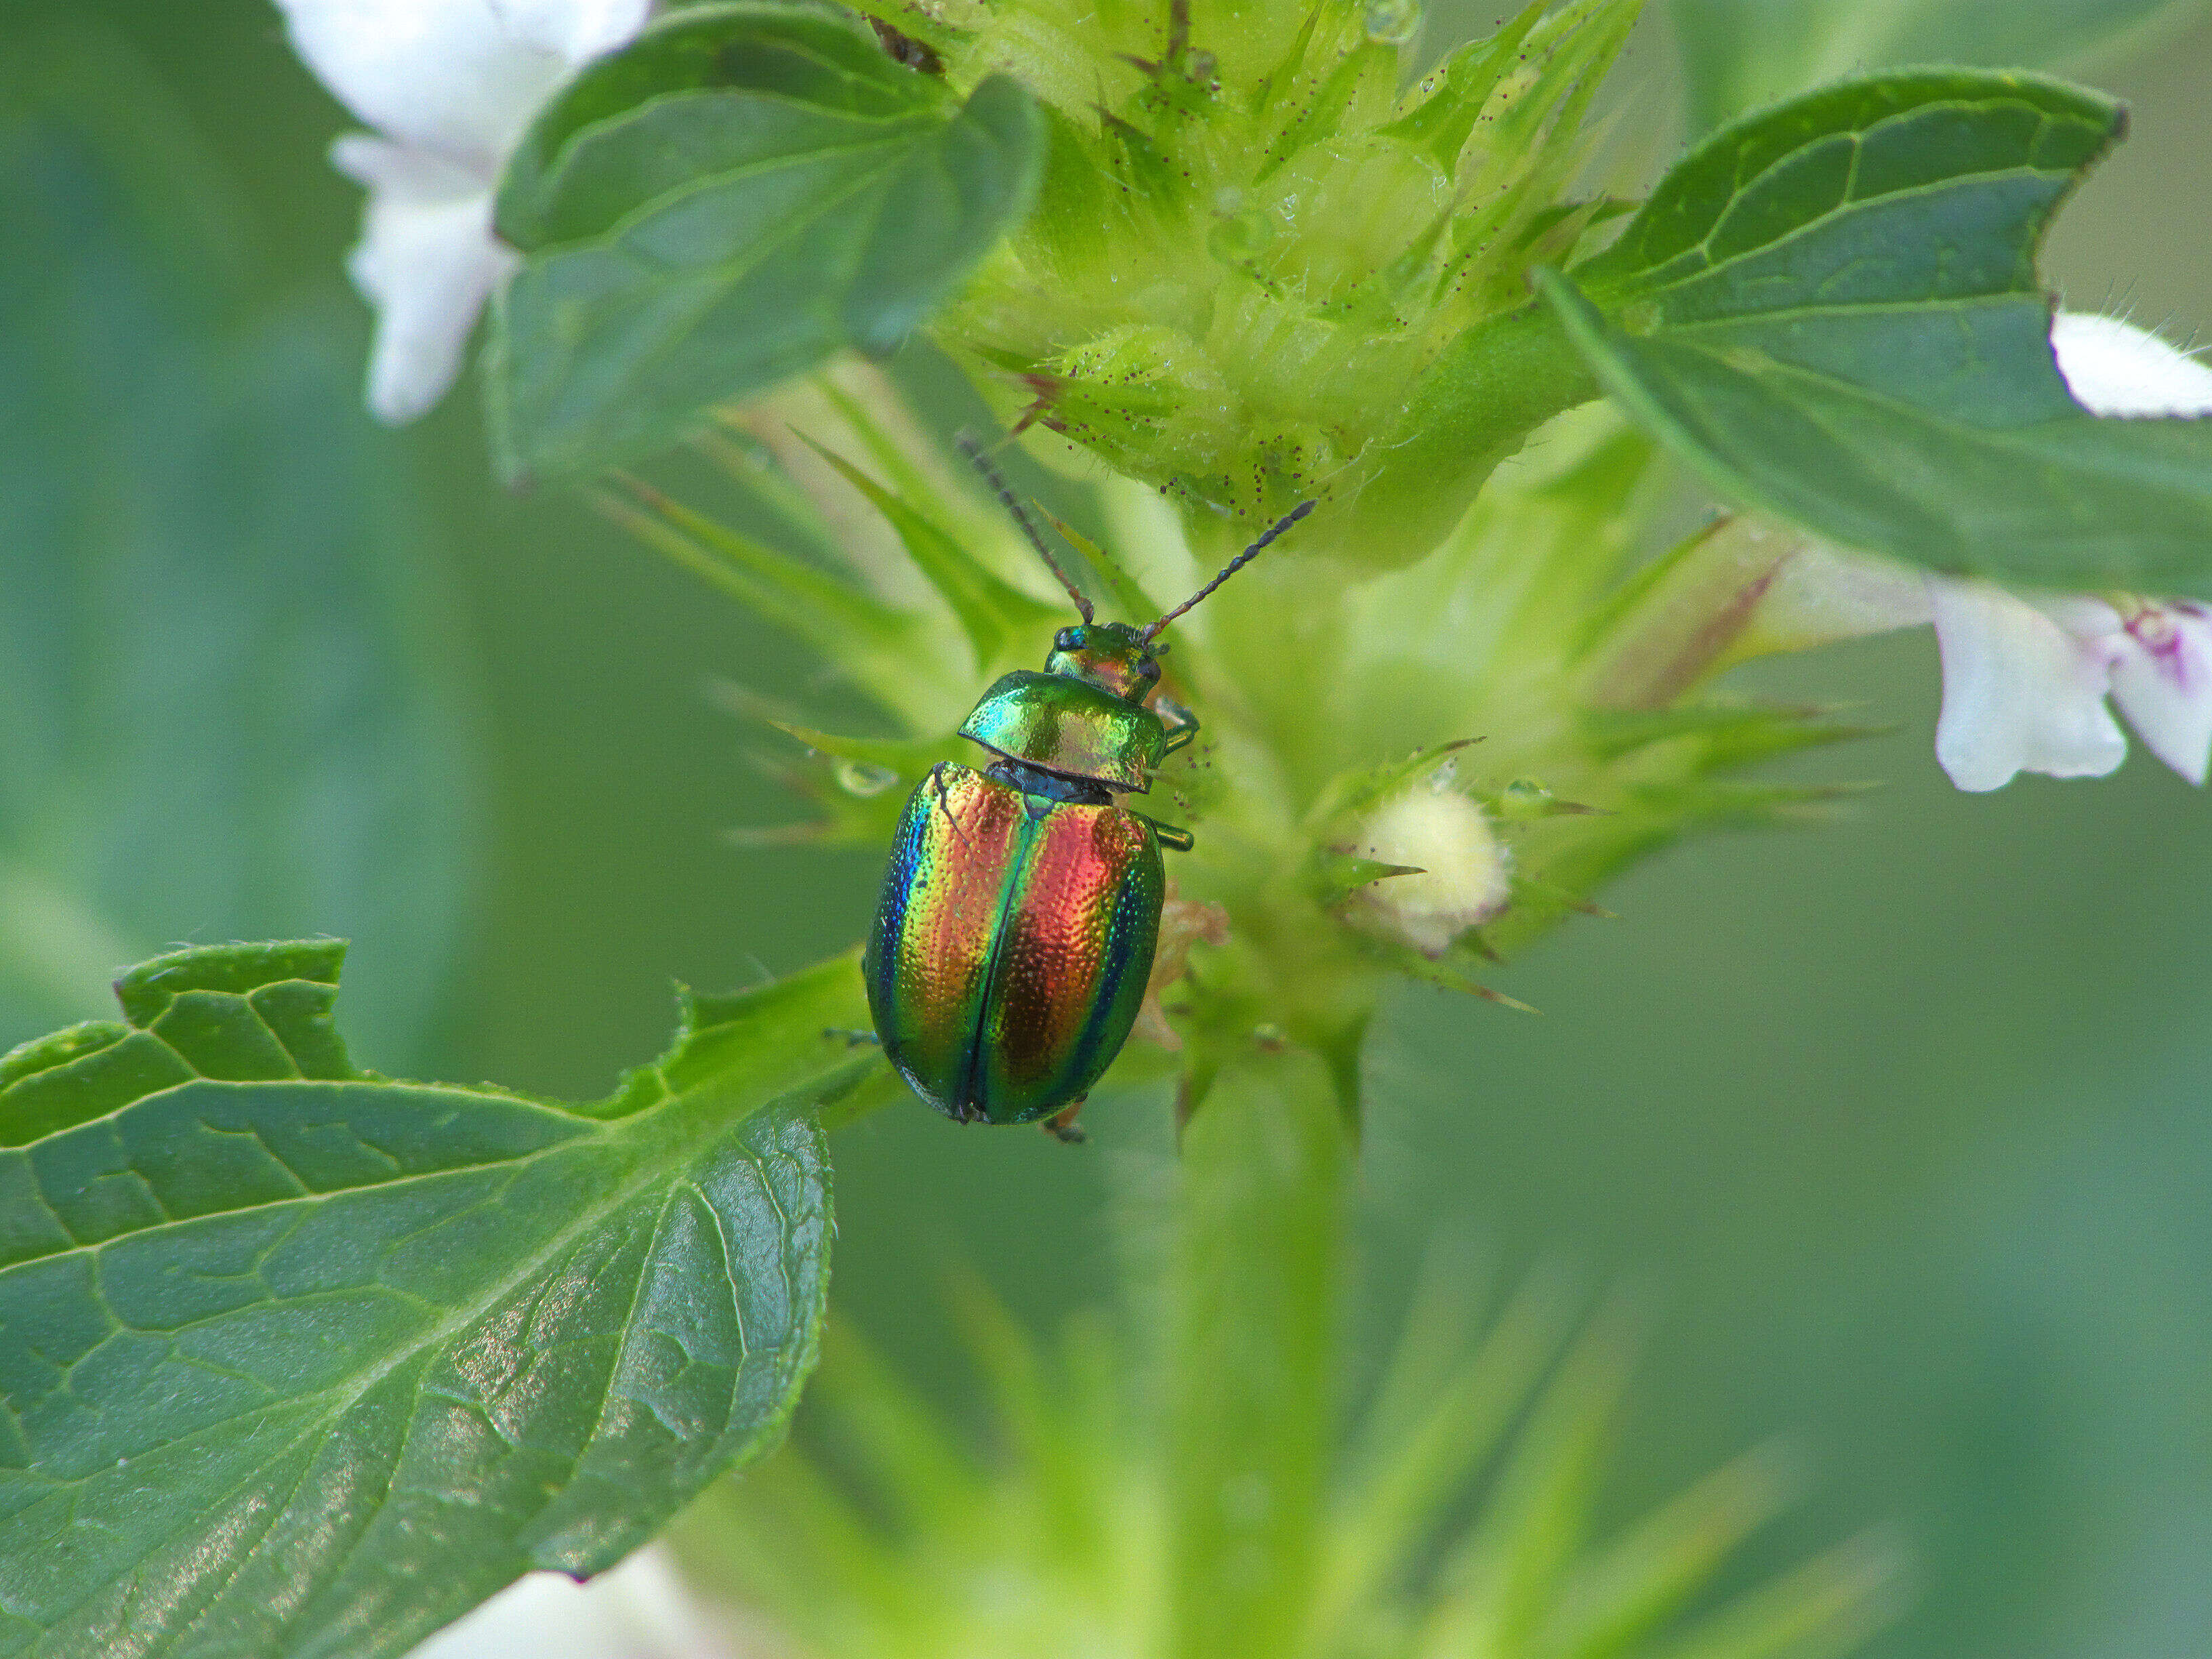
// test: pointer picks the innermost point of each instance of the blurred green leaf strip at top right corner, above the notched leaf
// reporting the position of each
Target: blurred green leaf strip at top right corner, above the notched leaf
(1740, 54)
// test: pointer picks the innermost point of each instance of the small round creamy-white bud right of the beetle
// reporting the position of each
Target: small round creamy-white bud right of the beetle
(1465, 873)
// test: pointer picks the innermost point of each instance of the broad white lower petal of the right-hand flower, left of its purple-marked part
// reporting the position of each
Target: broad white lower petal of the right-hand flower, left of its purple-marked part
(2018, 691)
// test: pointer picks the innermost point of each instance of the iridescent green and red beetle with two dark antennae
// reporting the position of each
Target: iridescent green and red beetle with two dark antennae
(1021, 906)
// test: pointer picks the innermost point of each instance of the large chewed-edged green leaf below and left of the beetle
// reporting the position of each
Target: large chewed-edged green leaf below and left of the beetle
(304, 1361)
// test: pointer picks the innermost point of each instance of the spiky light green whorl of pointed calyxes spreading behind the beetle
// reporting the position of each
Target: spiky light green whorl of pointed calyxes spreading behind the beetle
(1523, 632)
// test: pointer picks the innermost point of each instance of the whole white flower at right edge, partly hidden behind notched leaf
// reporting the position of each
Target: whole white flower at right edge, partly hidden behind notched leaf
(2025, 678)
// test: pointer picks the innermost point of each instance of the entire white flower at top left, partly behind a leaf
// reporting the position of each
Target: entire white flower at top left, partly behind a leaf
(450, 85)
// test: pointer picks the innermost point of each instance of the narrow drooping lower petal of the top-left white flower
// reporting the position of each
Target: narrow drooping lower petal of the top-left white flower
(428, 262)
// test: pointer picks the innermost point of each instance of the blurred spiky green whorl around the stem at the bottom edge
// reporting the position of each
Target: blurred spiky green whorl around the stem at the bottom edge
(888, 1534)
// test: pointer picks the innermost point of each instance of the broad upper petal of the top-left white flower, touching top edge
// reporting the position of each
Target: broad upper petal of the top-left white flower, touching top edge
(450, 76)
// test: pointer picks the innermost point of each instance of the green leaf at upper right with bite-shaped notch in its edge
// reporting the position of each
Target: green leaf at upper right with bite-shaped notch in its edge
(1830, 311)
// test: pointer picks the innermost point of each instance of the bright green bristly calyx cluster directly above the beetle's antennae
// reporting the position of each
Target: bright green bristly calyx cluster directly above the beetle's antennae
(1260, 251)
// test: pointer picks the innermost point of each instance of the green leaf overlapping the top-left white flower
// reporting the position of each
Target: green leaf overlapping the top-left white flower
(731, 200)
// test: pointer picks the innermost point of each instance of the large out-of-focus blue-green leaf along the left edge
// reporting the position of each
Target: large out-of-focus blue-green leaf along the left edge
(227, 682)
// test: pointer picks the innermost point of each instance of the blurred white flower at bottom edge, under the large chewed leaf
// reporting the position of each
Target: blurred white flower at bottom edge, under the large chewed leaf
(634, 1611)
